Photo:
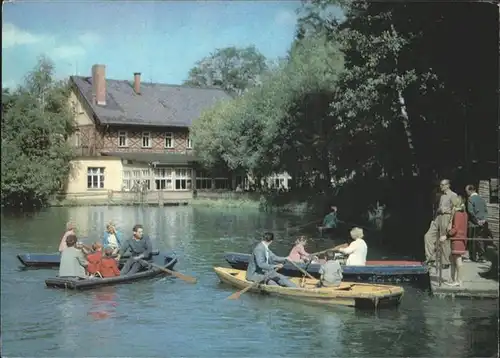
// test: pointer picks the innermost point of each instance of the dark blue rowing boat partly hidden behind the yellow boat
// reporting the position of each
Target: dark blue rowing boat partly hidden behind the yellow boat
(373, 271)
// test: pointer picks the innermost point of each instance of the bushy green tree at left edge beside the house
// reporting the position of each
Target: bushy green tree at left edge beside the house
(36, 121)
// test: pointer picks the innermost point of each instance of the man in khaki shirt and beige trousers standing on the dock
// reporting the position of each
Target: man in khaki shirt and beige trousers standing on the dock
(438, 227)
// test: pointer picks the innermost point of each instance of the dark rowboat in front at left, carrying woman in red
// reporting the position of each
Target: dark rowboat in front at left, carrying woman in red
(85, 284)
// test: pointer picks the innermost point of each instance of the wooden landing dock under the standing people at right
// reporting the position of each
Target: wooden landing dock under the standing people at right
(474, 286)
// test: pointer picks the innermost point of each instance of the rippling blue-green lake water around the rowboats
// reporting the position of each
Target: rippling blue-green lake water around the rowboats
(167, 317)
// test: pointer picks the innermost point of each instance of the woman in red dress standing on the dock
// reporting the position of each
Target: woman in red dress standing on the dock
(457, 234)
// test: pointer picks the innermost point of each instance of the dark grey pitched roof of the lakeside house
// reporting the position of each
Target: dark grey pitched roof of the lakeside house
(157, 105)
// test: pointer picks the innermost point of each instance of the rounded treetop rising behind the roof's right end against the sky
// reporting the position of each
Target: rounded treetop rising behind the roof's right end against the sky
(232, 69)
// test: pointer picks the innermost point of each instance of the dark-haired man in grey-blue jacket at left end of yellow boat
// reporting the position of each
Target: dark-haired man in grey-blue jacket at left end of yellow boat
(262, 265)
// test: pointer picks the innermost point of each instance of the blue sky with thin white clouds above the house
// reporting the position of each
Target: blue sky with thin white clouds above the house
(162, 39)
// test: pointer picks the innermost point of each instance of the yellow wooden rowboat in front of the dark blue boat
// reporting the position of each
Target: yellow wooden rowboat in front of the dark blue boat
(350, 294)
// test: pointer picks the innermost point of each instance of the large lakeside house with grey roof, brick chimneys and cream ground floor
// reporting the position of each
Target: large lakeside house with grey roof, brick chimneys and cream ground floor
(134, 137)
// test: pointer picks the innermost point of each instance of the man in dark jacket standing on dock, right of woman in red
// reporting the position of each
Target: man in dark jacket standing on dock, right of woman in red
(478, 226)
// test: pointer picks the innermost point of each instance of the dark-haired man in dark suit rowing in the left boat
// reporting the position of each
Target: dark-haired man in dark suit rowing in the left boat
(140, 248)
